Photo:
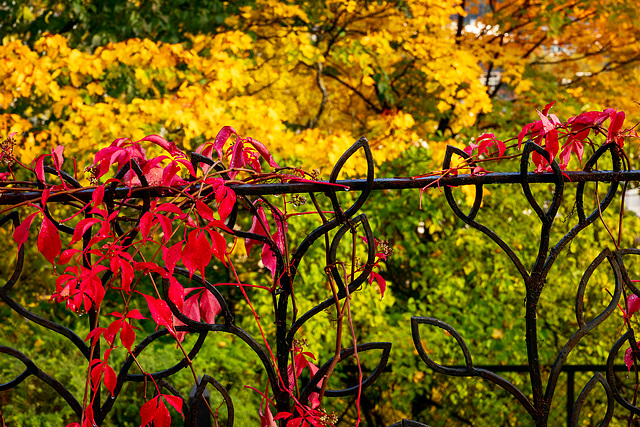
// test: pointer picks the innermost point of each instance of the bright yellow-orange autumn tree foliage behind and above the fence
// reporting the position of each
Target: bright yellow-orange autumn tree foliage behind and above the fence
(307, 78)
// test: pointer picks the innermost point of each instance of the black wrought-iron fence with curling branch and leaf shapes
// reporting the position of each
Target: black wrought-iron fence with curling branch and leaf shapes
(346, 220)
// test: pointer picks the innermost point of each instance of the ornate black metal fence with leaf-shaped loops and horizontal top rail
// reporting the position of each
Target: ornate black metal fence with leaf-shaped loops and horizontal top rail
(336, 229)
